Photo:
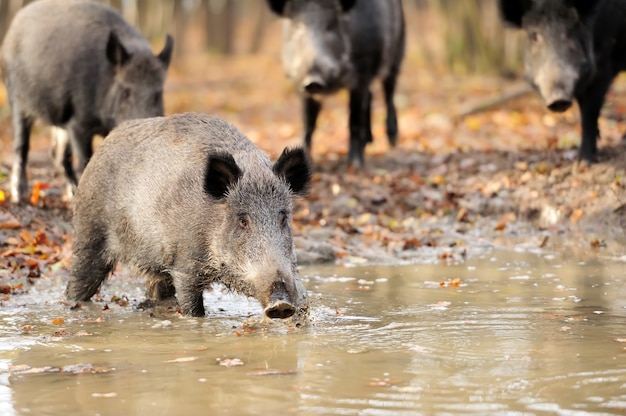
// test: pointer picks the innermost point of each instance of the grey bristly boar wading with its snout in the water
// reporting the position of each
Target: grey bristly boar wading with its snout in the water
(188, 201)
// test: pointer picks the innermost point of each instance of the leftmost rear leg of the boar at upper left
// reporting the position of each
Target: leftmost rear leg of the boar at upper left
(21, 137)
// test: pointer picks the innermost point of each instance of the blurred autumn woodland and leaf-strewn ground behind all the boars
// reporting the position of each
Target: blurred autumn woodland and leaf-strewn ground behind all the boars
(480, 161)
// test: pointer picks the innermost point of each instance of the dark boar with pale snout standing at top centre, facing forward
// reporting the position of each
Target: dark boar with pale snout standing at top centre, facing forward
(333, 44)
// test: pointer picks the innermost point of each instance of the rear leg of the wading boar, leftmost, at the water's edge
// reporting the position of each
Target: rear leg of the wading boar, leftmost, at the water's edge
(88, 271)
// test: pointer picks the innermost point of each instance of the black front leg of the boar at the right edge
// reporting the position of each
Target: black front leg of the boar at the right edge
(590, 102)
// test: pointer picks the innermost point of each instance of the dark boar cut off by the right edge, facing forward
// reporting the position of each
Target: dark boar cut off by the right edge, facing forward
(575, 48)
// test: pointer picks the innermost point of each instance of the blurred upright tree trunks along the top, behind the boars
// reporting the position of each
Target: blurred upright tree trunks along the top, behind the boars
(460, 37)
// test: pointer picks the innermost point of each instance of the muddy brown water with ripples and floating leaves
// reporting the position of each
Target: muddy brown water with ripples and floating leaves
(517, 333)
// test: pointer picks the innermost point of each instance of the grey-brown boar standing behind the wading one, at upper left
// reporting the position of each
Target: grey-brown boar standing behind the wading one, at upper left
(77, 65)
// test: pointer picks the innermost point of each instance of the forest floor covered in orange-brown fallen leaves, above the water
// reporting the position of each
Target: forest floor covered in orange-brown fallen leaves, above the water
(506, 176)
